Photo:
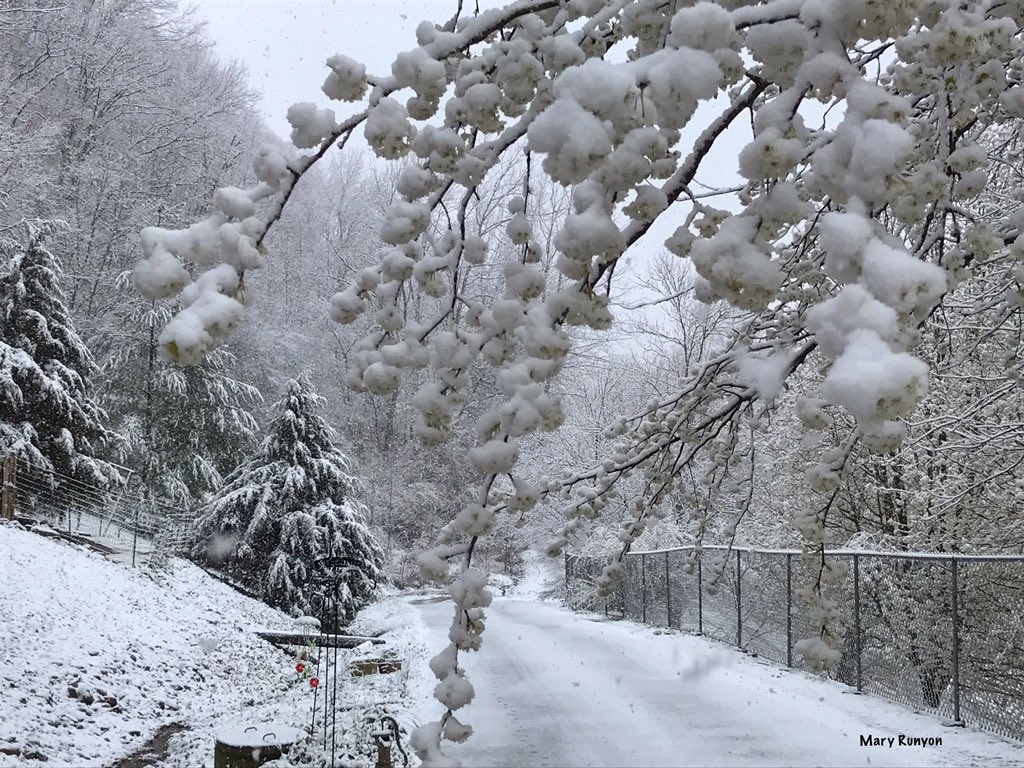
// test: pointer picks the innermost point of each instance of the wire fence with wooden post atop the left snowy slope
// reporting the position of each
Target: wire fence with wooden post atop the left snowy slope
(113, 520)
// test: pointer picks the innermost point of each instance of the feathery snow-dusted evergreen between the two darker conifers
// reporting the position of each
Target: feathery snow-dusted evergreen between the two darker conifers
(185, 429)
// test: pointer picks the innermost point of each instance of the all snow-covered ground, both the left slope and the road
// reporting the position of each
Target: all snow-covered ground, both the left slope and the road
(98, 657)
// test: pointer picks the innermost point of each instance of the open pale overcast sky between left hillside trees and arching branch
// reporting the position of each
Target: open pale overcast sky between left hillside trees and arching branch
(284, 44)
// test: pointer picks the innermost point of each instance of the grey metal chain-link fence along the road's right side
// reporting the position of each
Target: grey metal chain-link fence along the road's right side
(940, 633)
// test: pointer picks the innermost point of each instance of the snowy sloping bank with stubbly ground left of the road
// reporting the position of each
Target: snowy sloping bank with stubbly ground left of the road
(98, 657)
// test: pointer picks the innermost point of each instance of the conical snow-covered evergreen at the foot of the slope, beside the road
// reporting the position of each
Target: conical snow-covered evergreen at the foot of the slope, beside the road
(287, 509)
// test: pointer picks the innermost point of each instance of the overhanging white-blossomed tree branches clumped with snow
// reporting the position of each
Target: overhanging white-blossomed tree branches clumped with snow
(860, 130)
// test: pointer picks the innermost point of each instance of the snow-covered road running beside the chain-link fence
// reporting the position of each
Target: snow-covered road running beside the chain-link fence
(561, 690)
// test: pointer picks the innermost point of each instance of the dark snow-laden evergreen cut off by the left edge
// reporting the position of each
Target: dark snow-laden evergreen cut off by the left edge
(48, 412)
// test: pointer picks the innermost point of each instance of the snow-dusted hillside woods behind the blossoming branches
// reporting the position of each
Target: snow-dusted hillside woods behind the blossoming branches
(115, 116)
